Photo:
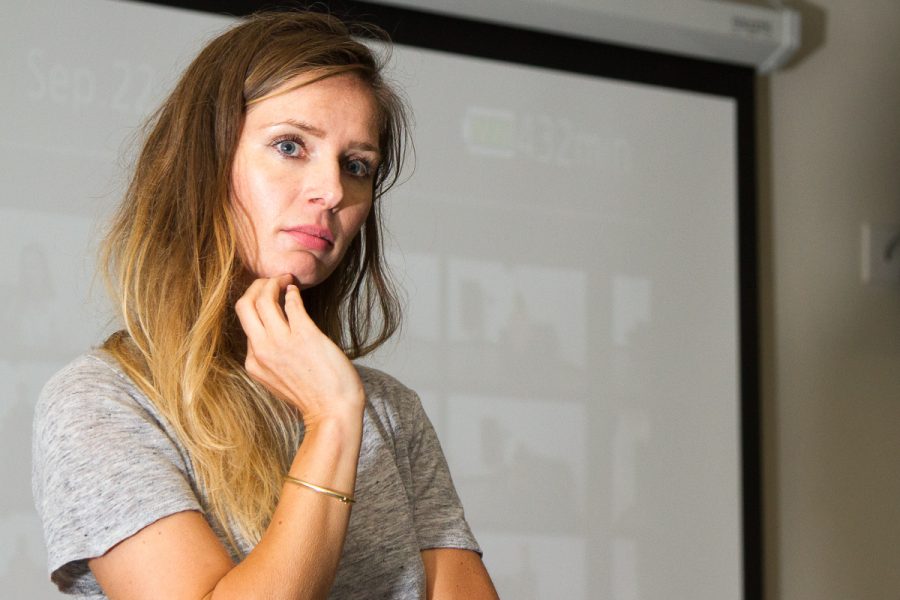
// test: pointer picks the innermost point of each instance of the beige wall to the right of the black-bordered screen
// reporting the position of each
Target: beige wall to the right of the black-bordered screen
(830, 160)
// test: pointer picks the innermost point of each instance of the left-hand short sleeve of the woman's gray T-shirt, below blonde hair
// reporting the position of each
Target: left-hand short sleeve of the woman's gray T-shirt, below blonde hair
(104, 467)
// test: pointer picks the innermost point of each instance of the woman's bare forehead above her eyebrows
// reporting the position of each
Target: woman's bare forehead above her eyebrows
(341, 101)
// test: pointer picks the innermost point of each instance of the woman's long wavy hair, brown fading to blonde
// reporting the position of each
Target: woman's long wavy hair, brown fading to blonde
(172, 263)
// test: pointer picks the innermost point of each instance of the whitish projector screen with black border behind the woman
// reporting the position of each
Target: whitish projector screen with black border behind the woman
(568, 245)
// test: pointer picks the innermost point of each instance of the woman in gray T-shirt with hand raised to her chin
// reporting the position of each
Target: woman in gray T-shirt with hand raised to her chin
(222, 445)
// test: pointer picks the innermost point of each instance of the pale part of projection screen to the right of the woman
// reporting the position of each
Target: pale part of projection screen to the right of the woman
(575, 255)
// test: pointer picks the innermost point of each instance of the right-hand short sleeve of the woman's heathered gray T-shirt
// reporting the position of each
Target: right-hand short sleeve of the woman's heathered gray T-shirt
(438, 513)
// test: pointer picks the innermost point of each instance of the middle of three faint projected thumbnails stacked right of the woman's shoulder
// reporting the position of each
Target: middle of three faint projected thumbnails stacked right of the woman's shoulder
(498, 447)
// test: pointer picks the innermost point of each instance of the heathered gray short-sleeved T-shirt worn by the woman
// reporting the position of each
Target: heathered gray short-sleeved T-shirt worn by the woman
(107, 464)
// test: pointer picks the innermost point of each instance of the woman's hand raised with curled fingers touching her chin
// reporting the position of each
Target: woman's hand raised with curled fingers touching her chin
(292, 358)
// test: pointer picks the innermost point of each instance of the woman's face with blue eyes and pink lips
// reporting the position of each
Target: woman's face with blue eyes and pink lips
(302, 179)
